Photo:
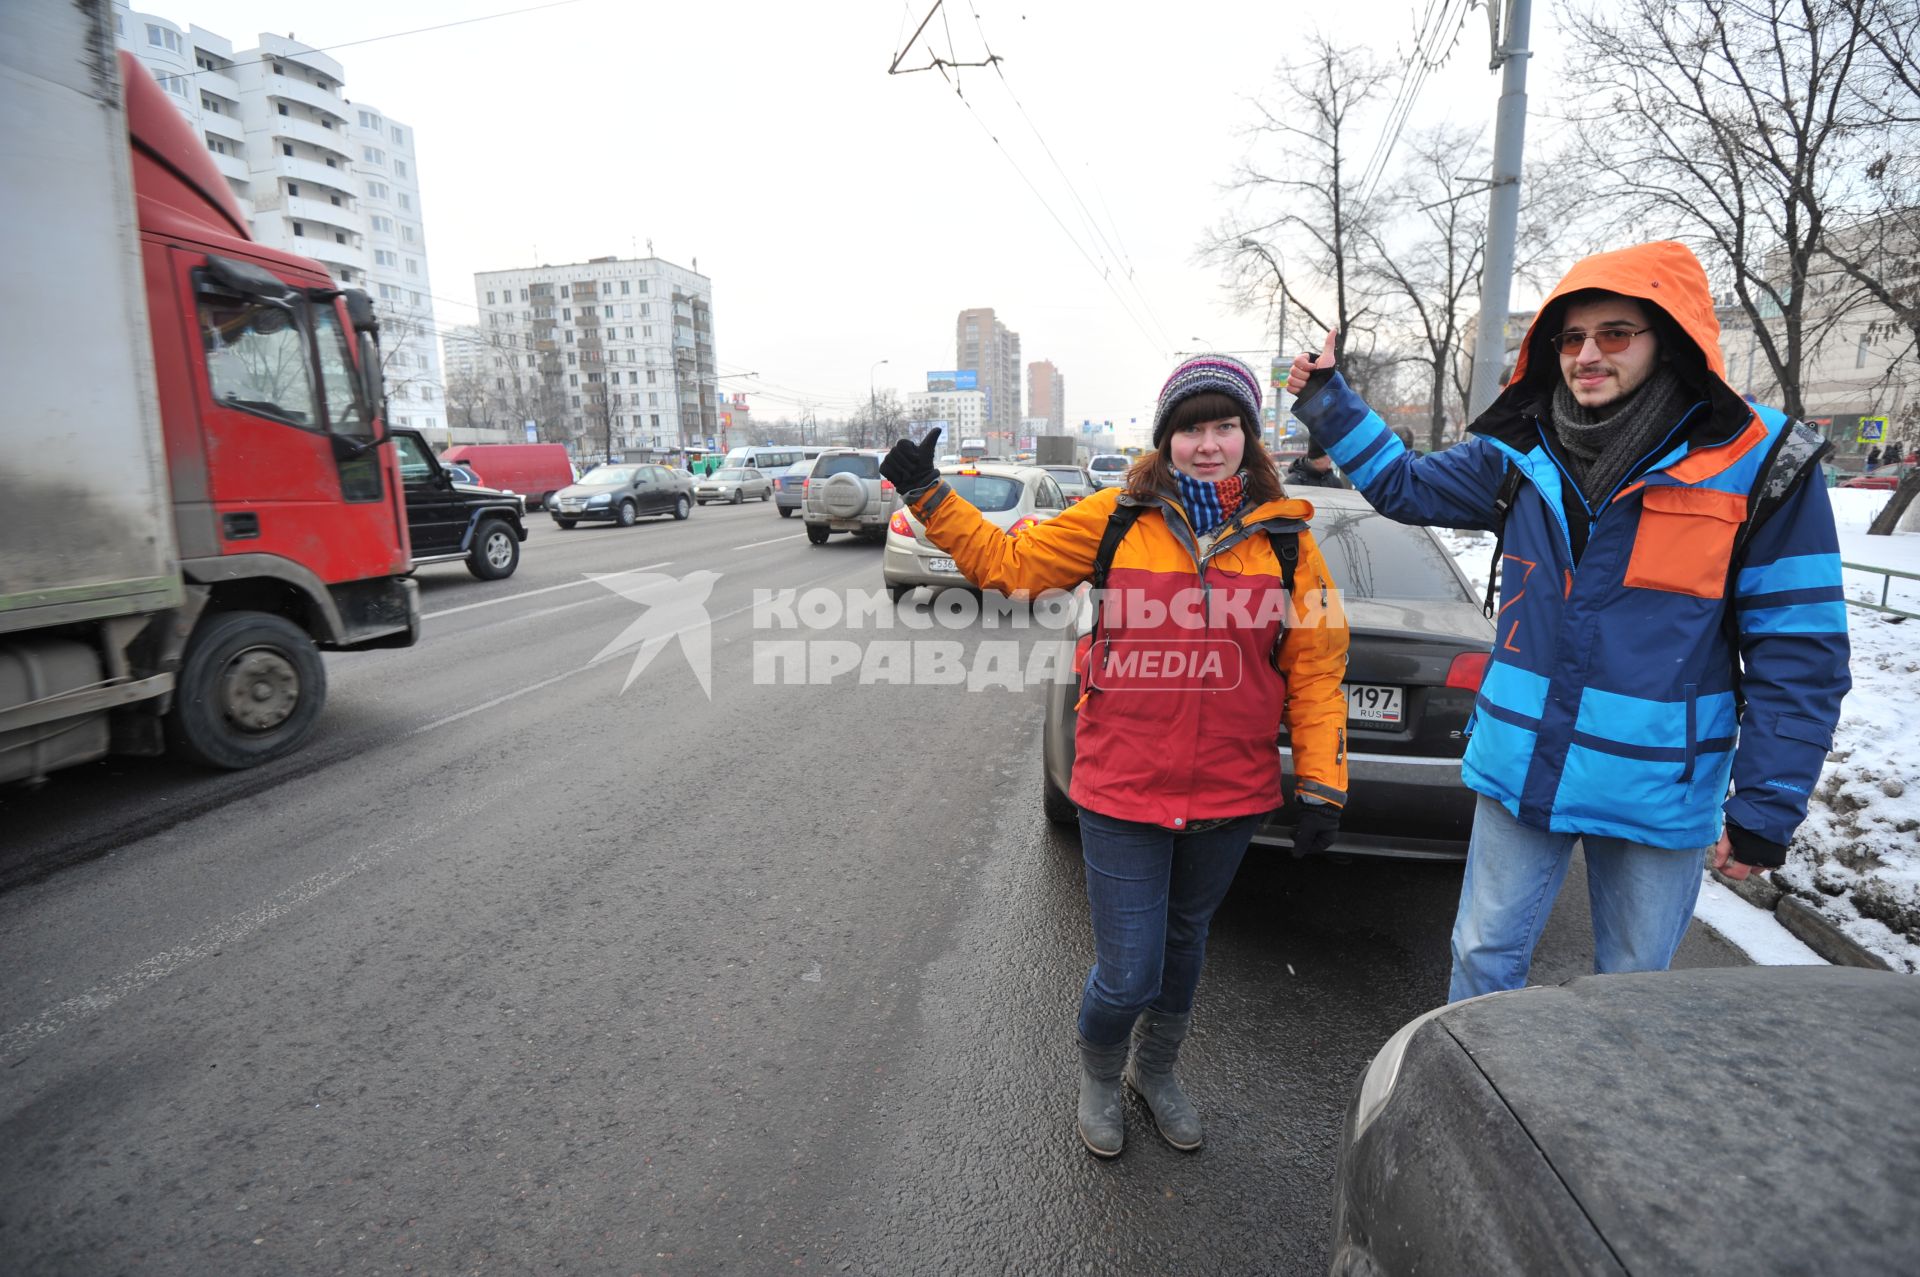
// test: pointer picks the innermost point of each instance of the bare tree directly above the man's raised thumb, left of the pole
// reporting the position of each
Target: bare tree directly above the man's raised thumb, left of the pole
(1301, 187)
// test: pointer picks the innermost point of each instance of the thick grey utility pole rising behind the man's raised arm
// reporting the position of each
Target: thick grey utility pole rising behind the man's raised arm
(1504, 203)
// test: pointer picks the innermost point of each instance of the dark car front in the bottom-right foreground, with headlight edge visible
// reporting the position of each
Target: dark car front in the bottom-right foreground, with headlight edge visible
(1729, 1120)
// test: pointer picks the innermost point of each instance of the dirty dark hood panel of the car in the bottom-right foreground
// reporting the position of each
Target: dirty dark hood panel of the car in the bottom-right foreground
(1725, 1120)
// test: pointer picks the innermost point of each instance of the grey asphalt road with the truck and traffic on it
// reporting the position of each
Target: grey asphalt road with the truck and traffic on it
(521, 969)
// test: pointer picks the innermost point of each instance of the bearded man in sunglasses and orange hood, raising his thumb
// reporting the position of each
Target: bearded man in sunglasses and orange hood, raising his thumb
(1671, 615)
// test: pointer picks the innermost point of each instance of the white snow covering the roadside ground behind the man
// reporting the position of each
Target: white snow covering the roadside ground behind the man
(1858, 857)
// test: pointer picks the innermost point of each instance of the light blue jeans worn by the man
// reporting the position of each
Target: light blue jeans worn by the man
(1643, 900)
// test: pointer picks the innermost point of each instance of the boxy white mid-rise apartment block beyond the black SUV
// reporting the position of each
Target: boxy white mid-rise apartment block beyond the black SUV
(606, 356)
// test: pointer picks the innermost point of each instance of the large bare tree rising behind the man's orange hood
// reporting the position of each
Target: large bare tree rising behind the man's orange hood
(1729, 124)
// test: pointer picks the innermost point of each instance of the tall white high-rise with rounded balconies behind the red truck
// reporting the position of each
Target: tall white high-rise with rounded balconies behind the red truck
(318, 176)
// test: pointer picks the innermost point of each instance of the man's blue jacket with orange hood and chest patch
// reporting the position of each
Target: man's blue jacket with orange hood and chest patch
(1610, 706)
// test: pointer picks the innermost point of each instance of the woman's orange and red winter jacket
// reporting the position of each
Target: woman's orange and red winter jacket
(1197, 660)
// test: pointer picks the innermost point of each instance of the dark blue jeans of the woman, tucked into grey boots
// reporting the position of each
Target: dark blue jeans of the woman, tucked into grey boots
(1153, 896)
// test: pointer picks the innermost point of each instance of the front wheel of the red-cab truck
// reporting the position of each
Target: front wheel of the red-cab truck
(251, 690)
